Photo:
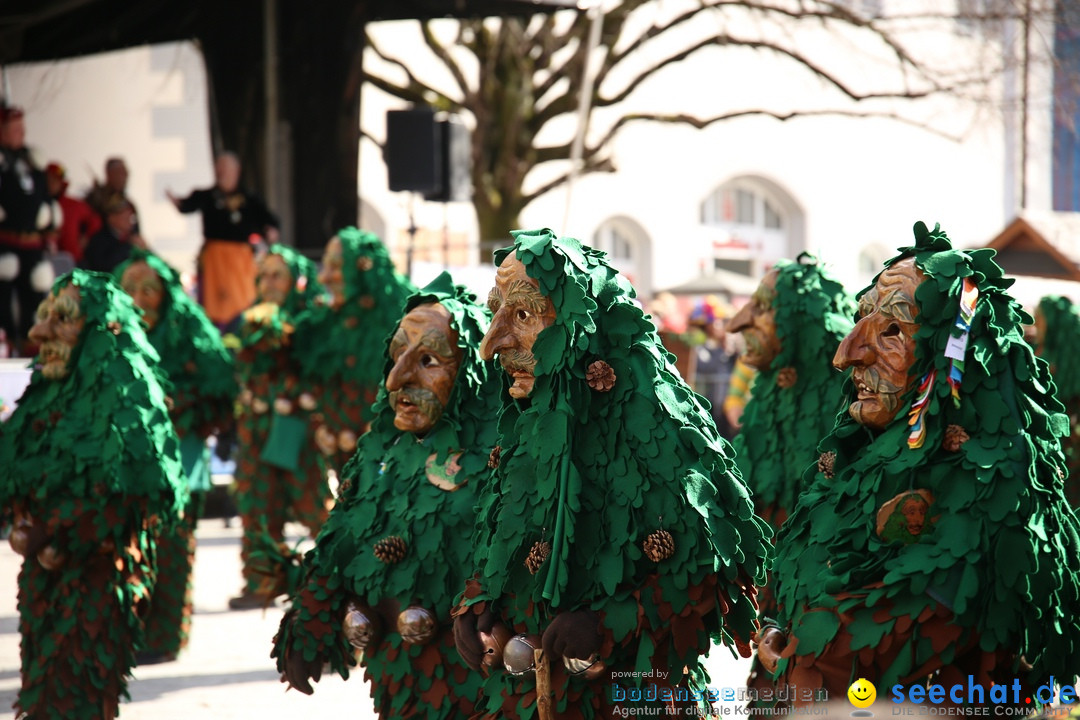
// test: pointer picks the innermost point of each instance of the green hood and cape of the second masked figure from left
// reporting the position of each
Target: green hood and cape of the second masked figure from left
(193, 356)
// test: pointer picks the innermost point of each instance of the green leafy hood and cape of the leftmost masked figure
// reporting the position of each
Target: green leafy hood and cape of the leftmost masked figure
(103, 431)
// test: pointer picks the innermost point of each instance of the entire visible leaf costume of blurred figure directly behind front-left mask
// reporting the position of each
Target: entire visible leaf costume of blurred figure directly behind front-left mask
(339, 361)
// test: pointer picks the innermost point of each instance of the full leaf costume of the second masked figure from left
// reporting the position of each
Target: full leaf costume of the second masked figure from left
(200, 371)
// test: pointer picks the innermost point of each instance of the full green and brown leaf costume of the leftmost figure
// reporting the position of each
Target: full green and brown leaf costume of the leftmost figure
(91, 459)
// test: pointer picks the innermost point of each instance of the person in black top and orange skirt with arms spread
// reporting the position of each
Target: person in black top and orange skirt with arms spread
(231, 216)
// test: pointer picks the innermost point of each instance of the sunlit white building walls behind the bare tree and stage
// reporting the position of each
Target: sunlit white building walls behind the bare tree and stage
(737, 195)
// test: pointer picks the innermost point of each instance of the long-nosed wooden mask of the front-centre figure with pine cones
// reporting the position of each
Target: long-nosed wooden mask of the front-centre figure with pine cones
(520, 313)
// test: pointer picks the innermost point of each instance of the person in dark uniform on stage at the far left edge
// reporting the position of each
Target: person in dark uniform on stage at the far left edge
(26, 218)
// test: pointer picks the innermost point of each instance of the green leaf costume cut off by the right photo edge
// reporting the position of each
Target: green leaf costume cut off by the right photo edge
(1060, 346)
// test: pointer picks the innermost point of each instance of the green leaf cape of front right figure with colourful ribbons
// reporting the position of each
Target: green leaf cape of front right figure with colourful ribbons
(1004, 552)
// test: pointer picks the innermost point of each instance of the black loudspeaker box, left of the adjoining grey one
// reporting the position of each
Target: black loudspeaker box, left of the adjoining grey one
(414, 152)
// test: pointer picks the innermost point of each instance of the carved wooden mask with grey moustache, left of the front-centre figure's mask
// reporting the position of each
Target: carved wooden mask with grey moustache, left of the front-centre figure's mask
(426, 360)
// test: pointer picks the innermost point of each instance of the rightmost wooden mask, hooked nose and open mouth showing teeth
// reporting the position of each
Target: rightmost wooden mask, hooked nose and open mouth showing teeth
(881, 349)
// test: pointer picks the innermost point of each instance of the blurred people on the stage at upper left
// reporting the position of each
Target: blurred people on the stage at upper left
(46, 230)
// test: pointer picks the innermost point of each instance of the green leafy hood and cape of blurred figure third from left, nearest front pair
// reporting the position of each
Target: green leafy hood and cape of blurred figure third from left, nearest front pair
(337, 343)
